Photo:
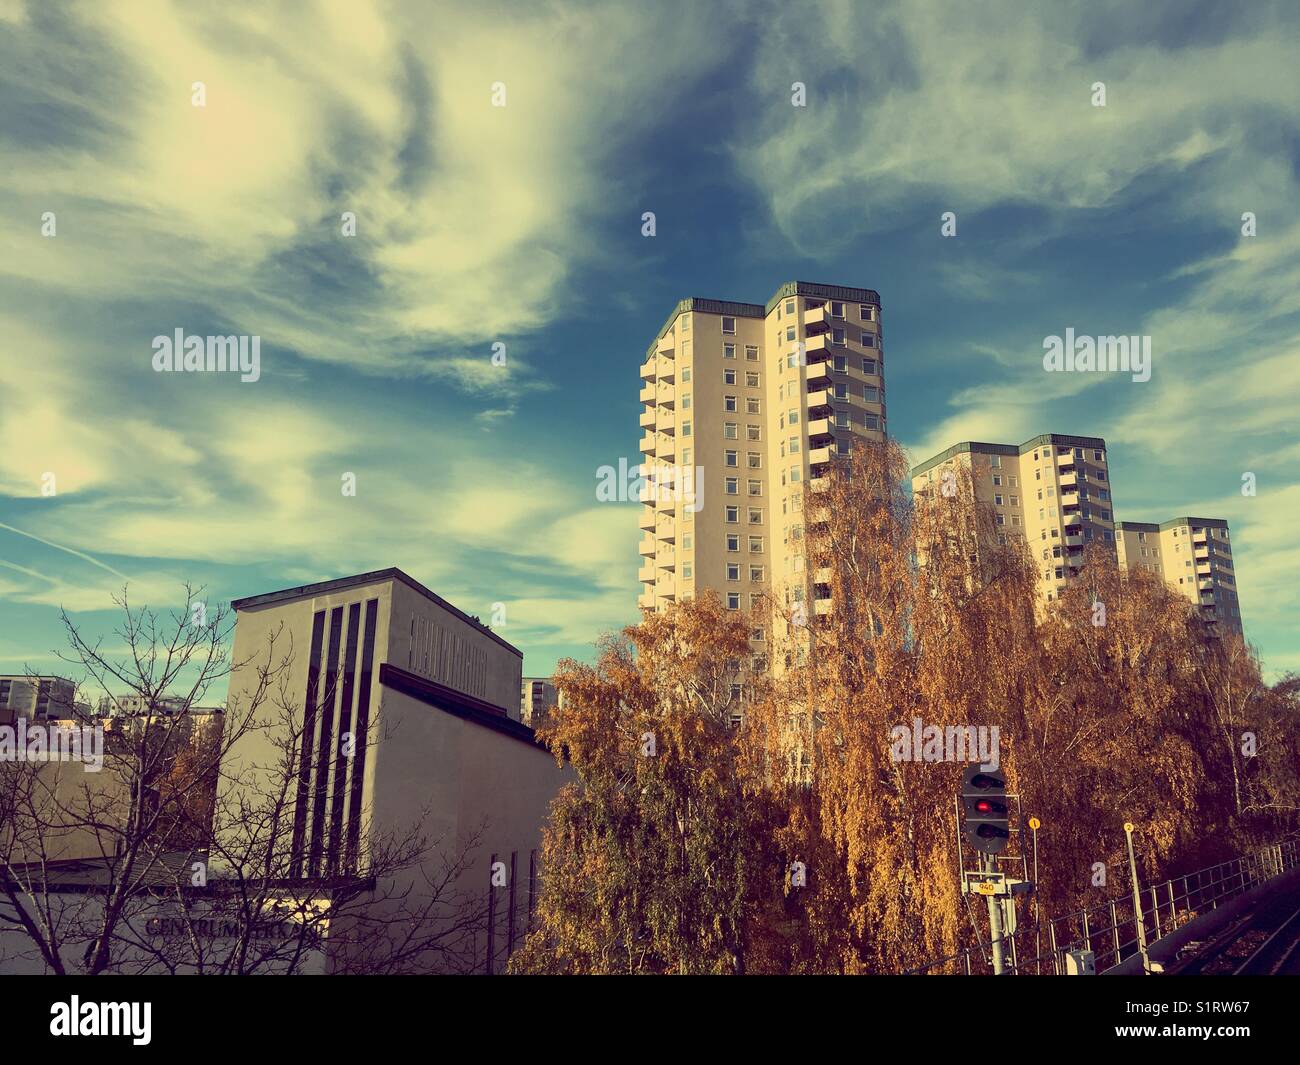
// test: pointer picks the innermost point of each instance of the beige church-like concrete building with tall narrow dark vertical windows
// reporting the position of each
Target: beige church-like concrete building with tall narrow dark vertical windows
(408, 717)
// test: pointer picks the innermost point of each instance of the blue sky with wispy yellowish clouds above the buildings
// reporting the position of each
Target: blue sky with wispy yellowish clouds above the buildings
(479, 226)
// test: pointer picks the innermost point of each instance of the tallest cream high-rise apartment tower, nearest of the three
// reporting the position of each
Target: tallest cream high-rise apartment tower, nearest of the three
(746, 405)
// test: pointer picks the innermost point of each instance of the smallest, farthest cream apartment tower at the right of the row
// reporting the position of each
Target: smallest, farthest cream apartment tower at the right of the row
(1194, 556)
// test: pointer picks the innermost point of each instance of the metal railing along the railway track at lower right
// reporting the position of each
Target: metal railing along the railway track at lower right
(1111, 929)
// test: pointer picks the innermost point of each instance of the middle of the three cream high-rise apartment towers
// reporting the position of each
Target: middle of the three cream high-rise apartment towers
(1054, 491)
